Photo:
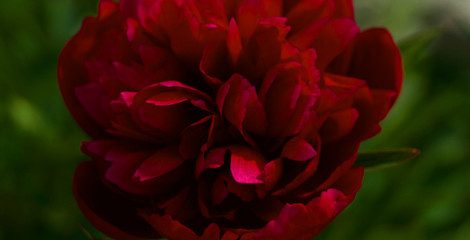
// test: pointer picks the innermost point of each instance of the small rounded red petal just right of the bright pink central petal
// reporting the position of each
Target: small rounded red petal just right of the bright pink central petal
(298, 149)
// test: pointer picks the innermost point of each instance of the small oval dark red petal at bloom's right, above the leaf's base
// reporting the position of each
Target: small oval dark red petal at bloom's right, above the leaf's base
(339, 124)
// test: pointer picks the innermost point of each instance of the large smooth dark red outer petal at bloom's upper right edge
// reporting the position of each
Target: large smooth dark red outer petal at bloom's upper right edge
(374, 57)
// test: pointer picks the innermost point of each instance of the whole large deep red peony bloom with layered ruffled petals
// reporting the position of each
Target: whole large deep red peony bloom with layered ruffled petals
(224, 119)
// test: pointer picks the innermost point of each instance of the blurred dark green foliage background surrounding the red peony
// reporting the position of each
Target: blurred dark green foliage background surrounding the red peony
(427, 198)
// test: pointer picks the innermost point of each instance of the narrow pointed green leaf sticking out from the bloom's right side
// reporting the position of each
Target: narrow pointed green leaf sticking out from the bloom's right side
(373, 160)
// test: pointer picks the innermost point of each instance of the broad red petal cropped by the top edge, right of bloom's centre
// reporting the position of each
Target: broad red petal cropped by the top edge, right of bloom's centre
(307, 12)
